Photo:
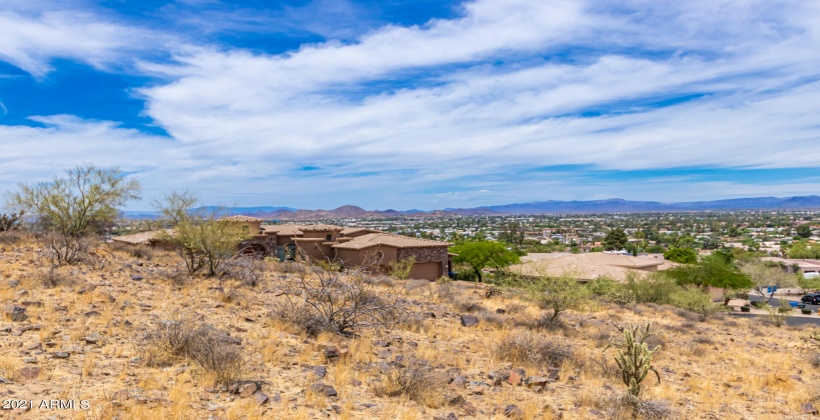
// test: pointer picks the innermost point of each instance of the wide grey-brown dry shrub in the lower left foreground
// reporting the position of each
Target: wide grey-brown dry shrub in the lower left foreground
(213, 350)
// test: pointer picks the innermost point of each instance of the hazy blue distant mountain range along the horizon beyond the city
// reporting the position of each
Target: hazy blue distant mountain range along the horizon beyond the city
(612, 205)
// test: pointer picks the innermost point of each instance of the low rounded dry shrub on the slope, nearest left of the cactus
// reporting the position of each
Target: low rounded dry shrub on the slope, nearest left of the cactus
(533, 349)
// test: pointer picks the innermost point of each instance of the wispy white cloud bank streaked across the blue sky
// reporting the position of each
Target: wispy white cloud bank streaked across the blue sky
(618, 85)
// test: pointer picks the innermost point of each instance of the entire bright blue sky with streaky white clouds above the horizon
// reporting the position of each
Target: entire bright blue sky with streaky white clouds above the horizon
(416, 104)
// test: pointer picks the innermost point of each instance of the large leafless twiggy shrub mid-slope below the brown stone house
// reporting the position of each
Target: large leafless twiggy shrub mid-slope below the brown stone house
(342, 303)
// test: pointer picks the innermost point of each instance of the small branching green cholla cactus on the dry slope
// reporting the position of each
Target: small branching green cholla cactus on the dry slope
(634, 358)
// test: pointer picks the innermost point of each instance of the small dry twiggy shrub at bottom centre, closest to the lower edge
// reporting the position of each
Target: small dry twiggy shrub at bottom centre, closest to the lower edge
(416, 379)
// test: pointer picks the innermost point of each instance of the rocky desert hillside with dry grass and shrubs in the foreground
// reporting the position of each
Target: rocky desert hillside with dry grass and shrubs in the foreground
(131, 334)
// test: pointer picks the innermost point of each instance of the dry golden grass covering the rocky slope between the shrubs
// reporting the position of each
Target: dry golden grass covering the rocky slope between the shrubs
(727, 368)
